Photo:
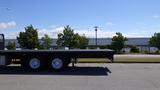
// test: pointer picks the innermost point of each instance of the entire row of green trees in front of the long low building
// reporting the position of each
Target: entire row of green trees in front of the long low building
(68, 38)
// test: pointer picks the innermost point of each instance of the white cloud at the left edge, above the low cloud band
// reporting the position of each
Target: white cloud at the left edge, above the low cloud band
(4, 25)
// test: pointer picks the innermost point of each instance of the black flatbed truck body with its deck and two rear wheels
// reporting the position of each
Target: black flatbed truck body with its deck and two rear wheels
(53, 59)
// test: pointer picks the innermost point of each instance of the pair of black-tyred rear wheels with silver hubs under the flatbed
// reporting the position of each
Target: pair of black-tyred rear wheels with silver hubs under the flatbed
(55, 64)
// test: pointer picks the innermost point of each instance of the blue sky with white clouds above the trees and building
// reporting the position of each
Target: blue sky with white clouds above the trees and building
(133, 18)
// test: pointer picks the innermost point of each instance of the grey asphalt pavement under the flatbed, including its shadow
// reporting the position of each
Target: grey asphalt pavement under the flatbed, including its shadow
(101, 76)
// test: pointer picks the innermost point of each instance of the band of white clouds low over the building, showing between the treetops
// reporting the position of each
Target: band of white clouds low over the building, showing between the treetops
(90, 33)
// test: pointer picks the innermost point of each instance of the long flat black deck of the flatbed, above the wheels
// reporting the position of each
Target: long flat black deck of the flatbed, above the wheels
(75, 53)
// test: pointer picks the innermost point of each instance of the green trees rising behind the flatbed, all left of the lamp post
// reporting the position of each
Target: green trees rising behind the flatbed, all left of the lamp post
(29, 39)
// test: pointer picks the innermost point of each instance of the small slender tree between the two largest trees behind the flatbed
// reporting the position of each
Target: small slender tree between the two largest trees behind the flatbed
(46, 41)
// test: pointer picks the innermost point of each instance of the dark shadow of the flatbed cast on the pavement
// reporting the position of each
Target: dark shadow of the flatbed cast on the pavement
(73, 71)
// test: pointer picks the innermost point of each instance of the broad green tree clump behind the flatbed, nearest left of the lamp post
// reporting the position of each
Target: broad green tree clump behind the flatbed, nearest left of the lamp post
(70, 39)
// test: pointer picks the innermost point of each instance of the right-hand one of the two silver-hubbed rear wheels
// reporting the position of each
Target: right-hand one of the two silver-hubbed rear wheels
(57, 64)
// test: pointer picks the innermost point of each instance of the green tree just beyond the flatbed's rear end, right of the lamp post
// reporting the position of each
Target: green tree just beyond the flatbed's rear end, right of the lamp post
(118, 42)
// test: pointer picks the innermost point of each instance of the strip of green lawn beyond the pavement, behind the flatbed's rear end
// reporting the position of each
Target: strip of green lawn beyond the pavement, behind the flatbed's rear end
(123, 59)
